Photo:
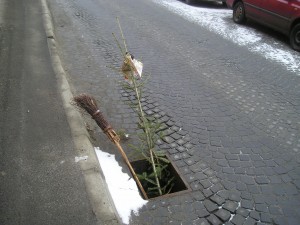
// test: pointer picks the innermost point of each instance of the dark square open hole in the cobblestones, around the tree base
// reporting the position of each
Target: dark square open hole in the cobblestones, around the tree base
(180, 185)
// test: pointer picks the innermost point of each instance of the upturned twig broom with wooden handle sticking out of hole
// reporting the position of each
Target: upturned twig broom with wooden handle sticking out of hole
(89, 104)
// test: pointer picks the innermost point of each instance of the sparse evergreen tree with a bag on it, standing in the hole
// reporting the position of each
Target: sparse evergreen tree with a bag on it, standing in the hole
(156, 179)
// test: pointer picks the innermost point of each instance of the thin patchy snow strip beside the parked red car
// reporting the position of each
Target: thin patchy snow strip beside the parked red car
(216, 20)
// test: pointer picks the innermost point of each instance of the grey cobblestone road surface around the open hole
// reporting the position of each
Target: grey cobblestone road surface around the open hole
(232, 117)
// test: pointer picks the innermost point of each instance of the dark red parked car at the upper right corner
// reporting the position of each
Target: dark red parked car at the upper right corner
(280, 15)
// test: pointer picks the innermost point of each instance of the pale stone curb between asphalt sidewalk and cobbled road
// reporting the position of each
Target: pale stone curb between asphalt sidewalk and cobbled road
(101, 201)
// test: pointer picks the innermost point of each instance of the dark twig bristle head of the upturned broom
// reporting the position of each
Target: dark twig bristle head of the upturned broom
(89, 104)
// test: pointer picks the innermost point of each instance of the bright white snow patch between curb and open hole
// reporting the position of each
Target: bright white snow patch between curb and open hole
(123, 190)
